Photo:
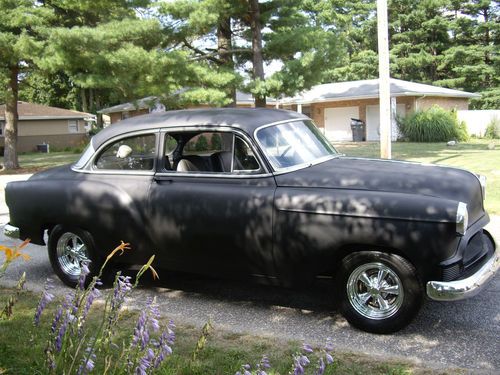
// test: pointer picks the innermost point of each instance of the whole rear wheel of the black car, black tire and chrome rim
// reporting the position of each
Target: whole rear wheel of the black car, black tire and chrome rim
(68, 248)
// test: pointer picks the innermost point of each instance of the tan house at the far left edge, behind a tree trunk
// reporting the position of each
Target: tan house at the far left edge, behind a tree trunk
(39, 124)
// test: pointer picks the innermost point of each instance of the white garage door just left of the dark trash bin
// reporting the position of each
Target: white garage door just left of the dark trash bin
(338, 123)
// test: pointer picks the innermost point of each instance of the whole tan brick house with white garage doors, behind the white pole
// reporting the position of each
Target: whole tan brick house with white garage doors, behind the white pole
(333, 105)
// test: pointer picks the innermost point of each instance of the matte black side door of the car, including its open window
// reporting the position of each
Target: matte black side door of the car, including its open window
(217, 220)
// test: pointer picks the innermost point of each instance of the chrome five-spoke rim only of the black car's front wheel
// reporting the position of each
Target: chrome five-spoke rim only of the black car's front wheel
(375, 291)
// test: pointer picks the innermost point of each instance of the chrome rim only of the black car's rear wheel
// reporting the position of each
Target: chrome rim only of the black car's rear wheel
(71, 252)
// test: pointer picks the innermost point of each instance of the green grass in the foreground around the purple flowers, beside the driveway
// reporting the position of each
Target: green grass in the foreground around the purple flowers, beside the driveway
(22, 347)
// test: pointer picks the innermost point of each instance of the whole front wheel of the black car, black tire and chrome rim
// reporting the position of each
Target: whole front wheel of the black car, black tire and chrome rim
(380, 292)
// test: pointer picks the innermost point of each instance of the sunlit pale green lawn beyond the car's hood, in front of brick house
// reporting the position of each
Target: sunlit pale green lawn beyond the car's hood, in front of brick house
(473, 156)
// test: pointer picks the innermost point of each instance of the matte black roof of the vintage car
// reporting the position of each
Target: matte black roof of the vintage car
(246, 119)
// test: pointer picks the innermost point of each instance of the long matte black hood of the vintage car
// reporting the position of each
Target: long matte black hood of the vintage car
(390, 176)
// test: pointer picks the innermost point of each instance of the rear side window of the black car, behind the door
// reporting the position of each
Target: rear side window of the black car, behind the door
(134, 153)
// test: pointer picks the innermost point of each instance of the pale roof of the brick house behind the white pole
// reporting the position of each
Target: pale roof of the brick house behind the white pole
(369, 89)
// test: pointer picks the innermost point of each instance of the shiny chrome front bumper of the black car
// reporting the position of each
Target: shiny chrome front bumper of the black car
(460, 289)
